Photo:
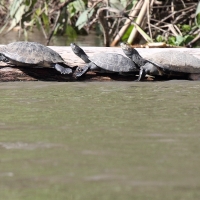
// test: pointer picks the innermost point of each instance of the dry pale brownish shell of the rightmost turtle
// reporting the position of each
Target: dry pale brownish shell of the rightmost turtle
(174, 61)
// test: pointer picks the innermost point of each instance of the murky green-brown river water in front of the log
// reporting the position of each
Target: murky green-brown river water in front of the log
(100, 140)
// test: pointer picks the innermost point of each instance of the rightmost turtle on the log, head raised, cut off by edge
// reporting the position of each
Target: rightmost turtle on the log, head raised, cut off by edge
(167, 62)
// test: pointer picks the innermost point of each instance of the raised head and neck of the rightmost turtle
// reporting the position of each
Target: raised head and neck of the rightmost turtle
(133, 54)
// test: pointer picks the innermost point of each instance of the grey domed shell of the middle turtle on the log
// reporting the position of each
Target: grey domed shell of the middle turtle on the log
(113, 62)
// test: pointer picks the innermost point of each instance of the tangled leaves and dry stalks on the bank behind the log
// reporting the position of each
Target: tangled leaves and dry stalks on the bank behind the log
(173, 22)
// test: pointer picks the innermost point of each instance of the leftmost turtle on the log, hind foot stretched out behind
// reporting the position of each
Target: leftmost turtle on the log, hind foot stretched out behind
(32, 54)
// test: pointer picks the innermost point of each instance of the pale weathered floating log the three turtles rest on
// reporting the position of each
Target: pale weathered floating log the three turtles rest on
(9, 73)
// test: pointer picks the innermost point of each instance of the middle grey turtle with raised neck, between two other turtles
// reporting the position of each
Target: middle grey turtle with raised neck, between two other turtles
(103, 62)
